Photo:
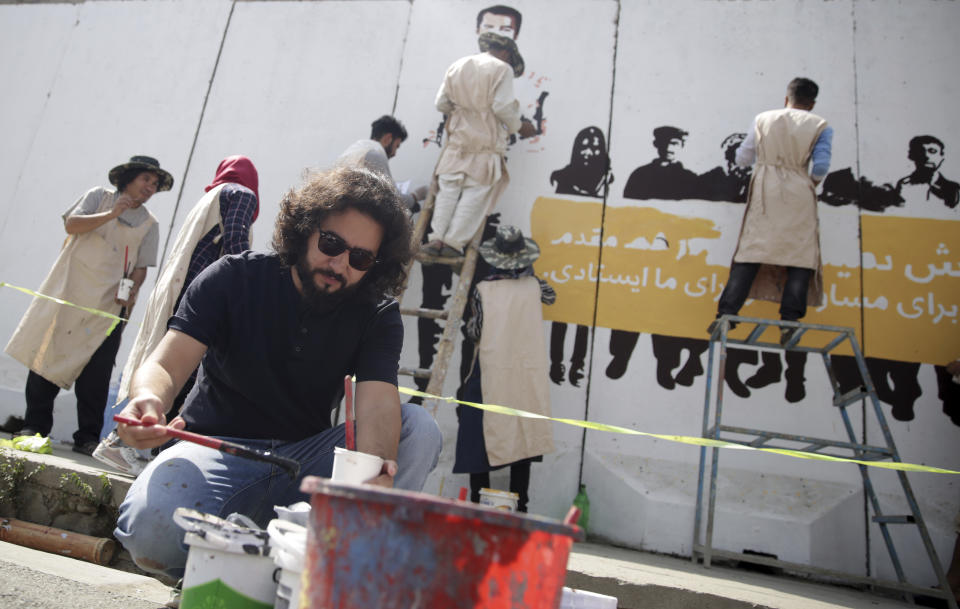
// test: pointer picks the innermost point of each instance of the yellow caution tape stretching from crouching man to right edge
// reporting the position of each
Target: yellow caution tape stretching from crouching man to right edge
(895, 465)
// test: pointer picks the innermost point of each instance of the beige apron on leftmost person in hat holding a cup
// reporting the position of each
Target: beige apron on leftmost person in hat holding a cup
(57, 341)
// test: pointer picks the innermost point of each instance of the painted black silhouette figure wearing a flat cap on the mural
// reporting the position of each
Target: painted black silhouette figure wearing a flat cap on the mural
(665, 177)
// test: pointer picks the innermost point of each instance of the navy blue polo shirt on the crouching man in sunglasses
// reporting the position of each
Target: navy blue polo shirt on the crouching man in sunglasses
(273, 369)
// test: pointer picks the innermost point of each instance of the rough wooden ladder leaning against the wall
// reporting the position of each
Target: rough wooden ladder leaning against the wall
(464, 267)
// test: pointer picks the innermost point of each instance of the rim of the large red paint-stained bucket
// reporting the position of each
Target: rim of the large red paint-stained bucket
(446, 507)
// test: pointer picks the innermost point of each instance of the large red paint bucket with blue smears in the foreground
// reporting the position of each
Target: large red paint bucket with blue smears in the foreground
(373, 547)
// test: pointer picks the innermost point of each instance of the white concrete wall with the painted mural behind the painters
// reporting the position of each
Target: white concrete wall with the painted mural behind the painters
(637, 242)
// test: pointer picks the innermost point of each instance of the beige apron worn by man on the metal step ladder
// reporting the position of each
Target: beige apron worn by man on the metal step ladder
(780, 225)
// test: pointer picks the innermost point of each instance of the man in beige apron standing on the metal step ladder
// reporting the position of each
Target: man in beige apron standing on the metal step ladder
(778, 252)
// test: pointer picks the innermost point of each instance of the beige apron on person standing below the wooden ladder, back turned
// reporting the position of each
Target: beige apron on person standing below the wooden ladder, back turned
(513, 361)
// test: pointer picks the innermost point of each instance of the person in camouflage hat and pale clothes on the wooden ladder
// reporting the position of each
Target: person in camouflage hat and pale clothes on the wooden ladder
(477, 97)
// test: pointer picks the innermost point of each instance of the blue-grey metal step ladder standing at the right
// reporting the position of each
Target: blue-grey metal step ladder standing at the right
(831, 337)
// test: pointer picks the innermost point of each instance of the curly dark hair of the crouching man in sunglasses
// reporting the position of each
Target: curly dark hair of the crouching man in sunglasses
(323, 193)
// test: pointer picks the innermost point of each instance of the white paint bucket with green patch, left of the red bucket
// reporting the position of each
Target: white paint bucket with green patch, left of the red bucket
(229, 562)
